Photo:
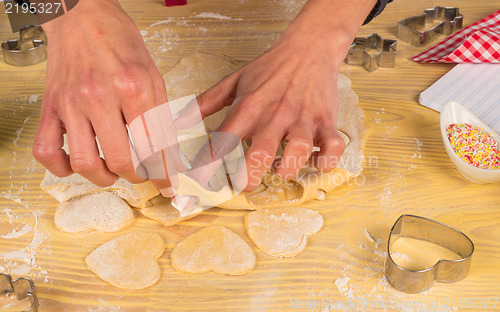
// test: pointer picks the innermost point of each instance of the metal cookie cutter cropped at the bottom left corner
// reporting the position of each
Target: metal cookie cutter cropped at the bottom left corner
(23, 287)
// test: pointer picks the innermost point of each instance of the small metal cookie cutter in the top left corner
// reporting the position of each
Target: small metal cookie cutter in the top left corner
(29, 49)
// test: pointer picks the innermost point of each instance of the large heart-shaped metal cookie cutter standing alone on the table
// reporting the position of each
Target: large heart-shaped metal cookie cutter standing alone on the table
(447, 271)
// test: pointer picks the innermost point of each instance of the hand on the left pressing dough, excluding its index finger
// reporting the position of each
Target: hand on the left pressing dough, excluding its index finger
(100, 76)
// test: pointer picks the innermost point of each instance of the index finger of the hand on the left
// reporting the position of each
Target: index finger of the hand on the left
(144, 103)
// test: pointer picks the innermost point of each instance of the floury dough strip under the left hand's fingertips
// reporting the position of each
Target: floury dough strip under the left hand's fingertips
(63, 189)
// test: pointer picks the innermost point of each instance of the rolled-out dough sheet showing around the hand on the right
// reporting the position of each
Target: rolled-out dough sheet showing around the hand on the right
(196, 73)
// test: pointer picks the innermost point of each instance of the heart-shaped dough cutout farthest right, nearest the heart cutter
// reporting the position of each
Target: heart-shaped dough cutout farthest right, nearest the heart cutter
(283, 231)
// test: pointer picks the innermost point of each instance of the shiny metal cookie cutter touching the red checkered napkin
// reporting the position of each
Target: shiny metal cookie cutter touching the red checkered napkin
(410, 29)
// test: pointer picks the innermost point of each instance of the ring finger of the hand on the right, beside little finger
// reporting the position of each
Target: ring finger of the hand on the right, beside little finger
(296, 154)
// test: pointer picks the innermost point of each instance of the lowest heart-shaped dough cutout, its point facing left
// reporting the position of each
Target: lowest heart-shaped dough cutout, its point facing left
(128, 261)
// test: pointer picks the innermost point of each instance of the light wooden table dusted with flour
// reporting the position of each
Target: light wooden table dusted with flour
(407, 171)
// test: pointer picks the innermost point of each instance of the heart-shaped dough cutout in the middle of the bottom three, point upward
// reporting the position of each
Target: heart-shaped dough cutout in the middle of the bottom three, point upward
(213, 249)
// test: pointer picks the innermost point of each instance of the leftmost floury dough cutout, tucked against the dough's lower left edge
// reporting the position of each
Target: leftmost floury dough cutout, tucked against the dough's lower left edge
(101, 211)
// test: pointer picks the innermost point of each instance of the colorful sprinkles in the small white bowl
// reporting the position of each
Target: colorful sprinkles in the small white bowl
(474, 146)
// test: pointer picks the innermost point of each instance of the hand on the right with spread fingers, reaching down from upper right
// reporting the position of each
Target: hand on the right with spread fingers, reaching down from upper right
(289, 93)
